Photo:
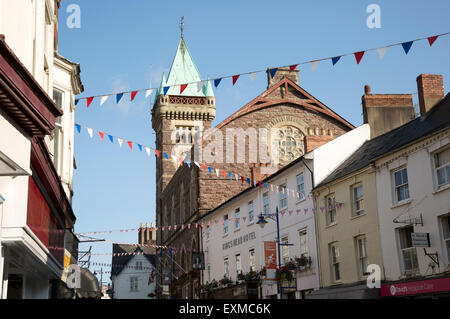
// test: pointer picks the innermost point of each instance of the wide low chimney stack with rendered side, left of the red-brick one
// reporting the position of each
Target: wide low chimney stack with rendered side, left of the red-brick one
(385, 112)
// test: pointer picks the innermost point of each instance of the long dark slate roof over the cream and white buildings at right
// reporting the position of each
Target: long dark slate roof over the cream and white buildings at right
(437, 119)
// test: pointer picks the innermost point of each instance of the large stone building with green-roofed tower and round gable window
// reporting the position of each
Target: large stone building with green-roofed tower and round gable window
(187, 192)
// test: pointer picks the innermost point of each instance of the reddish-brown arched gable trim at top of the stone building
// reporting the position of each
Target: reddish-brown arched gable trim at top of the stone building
(265, 100)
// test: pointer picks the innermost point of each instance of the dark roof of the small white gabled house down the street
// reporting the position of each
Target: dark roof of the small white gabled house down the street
(118, 262)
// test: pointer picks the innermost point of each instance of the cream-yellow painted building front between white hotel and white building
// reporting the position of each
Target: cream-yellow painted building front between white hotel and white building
(347, 231)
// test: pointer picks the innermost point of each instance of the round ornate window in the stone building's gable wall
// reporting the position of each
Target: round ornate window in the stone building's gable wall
(291, 145)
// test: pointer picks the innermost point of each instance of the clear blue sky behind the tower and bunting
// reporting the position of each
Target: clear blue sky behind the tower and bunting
(124, 45)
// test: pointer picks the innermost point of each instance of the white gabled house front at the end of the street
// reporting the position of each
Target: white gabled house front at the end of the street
(121, 283)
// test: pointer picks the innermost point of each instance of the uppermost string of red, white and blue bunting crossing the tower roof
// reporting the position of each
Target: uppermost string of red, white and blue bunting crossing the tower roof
(334, 59)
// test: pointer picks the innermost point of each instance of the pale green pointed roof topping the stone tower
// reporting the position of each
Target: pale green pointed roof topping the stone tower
(182, 71)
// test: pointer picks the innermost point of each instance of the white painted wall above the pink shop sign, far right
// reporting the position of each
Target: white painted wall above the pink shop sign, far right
(424, 199)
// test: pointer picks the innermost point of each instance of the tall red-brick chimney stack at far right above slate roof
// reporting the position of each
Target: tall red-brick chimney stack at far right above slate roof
(430, 90)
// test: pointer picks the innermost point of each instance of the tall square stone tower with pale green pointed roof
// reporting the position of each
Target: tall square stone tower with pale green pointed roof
(178, 113)
